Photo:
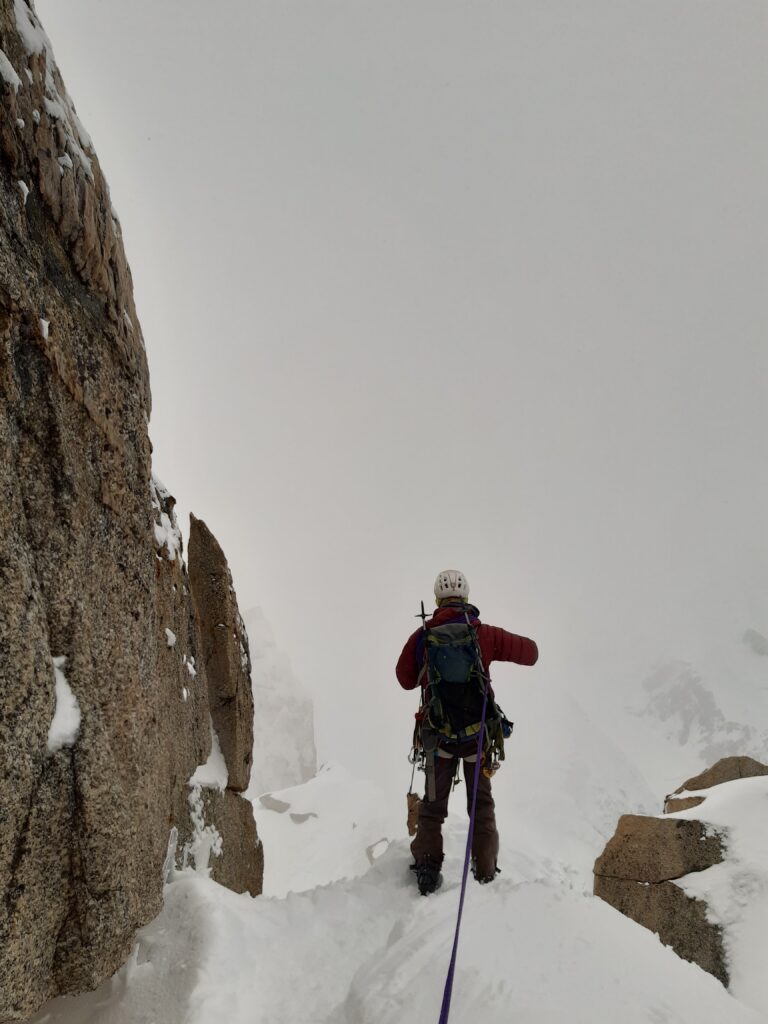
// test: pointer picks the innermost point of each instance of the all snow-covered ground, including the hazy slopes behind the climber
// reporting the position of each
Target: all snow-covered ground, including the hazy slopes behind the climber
(340, 935)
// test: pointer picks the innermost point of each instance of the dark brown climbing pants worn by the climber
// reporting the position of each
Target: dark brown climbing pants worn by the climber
(429, 842)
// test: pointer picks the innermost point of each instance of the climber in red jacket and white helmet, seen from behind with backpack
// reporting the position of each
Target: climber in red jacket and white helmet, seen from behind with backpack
(450, 659)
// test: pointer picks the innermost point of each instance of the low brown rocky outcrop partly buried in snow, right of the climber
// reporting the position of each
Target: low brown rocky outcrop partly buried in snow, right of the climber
(638, 871)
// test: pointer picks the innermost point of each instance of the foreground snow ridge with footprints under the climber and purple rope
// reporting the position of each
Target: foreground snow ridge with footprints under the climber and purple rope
(354, 943)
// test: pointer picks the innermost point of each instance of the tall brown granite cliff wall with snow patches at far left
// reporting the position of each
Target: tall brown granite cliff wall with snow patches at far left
(97, 752)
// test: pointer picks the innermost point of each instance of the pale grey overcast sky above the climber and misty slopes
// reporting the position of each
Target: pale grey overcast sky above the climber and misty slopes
(431, 285)
